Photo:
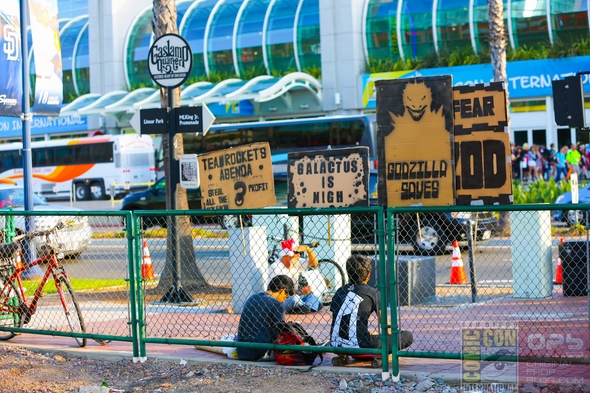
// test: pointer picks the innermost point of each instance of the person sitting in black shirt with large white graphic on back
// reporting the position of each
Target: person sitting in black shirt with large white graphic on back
(355, 302)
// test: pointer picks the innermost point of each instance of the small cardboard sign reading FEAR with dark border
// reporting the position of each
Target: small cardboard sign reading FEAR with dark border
(480, 107)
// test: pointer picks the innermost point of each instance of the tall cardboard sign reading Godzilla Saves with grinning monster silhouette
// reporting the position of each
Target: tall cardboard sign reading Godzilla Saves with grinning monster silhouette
(415, 127)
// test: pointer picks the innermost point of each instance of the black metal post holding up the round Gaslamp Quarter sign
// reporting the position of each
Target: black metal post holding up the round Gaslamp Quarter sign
(176, 294)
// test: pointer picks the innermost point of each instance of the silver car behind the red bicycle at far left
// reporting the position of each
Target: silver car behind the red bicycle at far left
(72, 240)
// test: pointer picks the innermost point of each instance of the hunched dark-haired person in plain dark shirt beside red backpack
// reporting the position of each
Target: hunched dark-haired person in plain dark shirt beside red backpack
(261, 313)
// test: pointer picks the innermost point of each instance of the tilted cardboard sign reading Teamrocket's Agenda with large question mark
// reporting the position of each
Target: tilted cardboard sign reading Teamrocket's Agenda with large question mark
(237, 178)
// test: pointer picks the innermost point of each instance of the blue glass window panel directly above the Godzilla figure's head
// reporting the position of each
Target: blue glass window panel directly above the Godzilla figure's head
(416, 28)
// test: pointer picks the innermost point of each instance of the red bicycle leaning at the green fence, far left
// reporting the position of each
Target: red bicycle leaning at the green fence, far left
(15, 310)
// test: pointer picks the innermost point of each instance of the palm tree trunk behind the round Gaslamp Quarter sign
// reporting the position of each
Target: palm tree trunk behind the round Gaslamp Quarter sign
(164, 22)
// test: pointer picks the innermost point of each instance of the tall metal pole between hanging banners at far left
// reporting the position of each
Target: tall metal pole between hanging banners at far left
(26, 117)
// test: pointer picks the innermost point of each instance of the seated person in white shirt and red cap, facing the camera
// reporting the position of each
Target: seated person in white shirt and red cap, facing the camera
(307, 299)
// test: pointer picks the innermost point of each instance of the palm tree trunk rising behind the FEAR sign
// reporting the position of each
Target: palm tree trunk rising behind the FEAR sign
(498, 59)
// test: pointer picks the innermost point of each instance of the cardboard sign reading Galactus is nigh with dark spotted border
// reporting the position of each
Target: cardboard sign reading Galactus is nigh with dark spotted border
(329, 178)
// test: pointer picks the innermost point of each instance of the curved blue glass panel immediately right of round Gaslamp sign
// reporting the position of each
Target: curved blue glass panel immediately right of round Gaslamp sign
(193, 30)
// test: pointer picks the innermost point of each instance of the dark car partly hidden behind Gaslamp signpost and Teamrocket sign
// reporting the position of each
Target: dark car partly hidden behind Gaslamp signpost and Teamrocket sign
(154, 198)
